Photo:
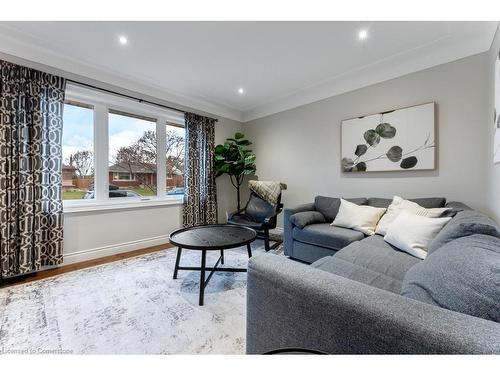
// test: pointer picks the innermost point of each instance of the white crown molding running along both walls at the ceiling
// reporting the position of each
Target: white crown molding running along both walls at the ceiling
(438, 52)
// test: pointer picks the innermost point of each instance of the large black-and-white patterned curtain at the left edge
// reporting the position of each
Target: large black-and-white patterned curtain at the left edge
(31, 108)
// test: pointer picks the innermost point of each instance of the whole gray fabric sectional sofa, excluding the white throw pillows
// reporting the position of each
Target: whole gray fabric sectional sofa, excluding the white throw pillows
(362, 295)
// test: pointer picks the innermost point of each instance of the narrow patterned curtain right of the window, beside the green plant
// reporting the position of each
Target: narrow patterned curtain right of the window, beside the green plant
(200, 200)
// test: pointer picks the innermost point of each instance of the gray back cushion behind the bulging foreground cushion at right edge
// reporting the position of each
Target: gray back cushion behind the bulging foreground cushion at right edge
(464, 223)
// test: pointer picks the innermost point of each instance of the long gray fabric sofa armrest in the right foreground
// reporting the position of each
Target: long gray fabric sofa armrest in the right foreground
(294, 305)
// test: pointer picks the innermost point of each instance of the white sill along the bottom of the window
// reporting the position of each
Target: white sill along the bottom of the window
(122, 204)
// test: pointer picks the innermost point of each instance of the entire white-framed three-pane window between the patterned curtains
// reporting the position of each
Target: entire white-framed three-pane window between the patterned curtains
(117, 150)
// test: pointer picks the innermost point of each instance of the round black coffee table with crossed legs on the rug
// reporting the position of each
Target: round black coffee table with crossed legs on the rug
(211, 237)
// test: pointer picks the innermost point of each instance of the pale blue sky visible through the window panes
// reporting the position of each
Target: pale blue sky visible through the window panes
(78, 131)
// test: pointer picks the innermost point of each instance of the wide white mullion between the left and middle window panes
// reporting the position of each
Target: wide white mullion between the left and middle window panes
(101, 152)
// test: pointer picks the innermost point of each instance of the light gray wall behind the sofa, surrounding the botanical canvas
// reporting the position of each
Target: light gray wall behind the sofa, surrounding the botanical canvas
(301, 146)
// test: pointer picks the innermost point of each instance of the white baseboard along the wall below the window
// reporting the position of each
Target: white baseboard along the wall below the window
(99, 252)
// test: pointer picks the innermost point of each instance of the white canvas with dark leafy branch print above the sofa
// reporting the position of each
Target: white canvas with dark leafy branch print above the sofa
(397, 140)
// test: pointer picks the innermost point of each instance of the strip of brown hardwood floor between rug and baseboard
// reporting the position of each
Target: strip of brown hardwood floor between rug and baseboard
(80, 265)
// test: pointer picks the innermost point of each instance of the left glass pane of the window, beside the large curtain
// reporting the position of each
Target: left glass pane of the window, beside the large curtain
(77, 150)
